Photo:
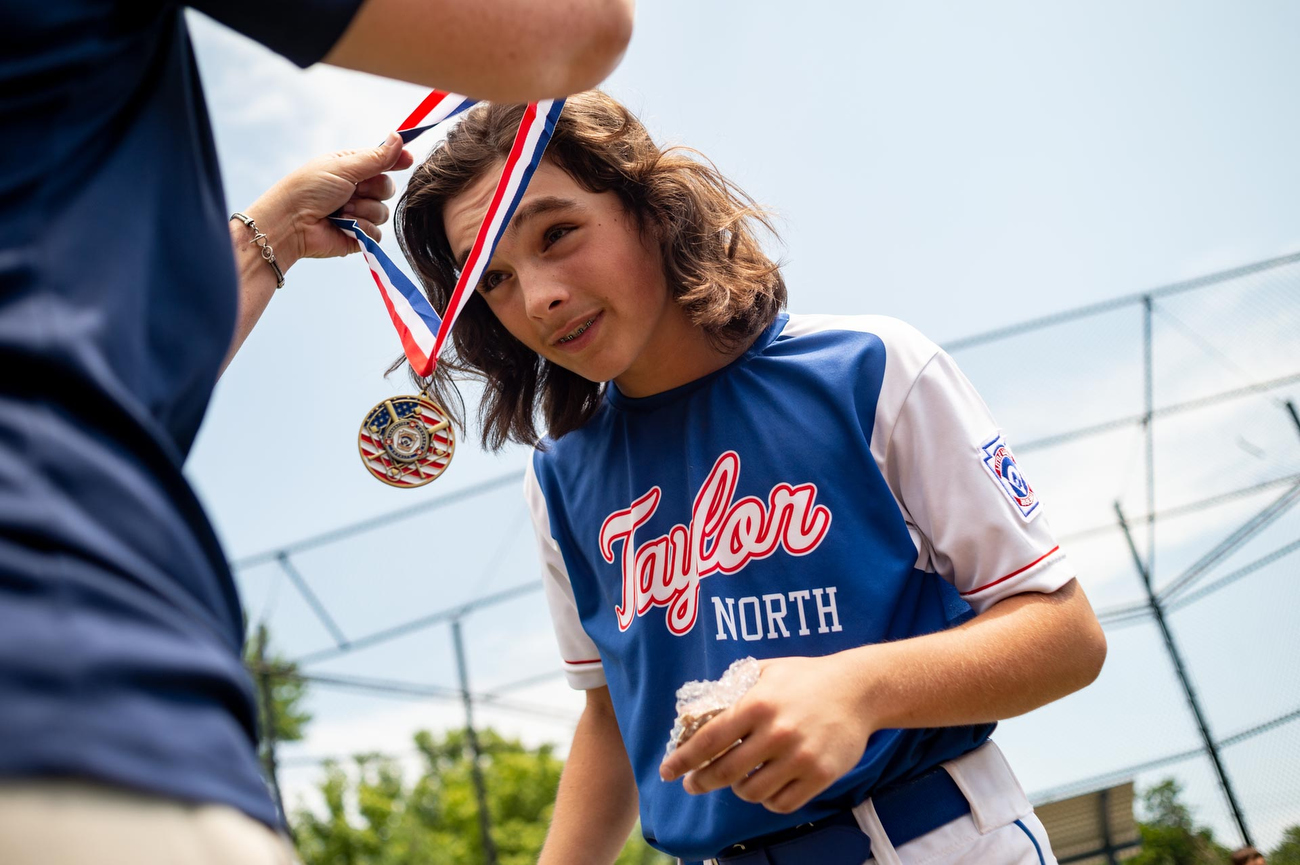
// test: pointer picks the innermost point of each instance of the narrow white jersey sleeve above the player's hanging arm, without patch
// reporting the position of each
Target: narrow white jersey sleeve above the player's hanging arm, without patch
(582, 661)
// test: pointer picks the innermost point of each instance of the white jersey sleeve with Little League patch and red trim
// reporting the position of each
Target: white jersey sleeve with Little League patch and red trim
(977, 520)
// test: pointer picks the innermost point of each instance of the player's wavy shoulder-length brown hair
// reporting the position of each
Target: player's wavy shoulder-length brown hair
(705, 226)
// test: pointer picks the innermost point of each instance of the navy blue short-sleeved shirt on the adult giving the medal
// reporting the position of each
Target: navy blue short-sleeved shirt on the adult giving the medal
(120, 628)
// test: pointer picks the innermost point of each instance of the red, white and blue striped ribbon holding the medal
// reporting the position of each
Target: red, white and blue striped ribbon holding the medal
(424, 334)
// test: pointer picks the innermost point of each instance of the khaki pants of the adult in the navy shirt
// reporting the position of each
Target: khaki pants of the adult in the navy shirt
(49, 823)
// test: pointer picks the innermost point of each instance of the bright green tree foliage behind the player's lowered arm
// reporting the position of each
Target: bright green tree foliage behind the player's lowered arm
(375, 818)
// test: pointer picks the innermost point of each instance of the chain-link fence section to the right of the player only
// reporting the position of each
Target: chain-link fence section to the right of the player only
(1177, 409)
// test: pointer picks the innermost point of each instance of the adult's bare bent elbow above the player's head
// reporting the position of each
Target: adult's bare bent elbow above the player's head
(504, 50)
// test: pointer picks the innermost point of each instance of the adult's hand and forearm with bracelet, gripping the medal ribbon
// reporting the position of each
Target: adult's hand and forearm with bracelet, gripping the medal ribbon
(294, 214)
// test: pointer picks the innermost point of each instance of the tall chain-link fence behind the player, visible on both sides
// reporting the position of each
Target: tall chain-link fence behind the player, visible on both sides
(1172, 410)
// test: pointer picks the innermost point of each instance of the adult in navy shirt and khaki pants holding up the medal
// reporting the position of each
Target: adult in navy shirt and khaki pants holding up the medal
(127, 719)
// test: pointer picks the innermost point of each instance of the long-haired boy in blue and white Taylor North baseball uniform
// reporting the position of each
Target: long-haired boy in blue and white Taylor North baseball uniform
(720, 481)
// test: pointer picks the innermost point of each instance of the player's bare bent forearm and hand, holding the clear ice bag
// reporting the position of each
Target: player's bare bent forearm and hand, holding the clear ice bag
(808, 720)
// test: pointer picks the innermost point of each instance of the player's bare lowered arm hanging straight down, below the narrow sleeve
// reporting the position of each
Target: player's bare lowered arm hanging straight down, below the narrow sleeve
(597, 803)
